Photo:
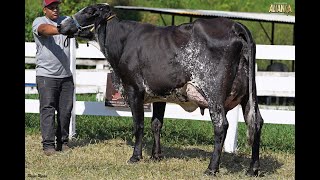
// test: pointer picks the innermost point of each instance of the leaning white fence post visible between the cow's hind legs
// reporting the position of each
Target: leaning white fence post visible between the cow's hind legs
(230, 143)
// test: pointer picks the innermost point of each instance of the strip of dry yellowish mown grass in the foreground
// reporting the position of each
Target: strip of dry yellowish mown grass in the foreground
(107, 159)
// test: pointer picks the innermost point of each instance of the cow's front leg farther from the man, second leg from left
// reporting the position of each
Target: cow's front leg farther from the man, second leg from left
(156, 125)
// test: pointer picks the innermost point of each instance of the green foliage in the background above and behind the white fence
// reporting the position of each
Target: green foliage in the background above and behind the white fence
(283, 32)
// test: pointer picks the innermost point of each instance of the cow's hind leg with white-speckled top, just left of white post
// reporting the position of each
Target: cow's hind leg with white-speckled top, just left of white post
(220, 125)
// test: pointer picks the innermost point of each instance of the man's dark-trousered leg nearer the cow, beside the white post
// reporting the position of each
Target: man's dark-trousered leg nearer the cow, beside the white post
(64, 112)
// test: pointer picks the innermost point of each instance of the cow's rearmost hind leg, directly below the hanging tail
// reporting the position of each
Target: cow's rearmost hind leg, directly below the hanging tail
(254, 122)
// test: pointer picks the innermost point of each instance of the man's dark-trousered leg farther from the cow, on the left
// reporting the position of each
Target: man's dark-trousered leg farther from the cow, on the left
(48, 94)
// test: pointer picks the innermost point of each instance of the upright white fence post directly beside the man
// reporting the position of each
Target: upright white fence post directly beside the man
(72, 126)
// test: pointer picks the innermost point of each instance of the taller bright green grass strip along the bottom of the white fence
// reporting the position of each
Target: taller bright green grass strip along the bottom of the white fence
(275, 137)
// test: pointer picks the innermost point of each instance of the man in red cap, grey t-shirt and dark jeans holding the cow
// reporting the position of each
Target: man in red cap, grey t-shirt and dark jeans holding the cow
(53, 78)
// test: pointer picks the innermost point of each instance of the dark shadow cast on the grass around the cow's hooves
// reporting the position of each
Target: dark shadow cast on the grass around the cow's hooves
(233, 163)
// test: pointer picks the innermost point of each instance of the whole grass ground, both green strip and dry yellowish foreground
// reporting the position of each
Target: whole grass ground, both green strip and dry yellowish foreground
(104, 144)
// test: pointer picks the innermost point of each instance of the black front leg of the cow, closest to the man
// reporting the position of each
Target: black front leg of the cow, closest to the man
(135, 100)
